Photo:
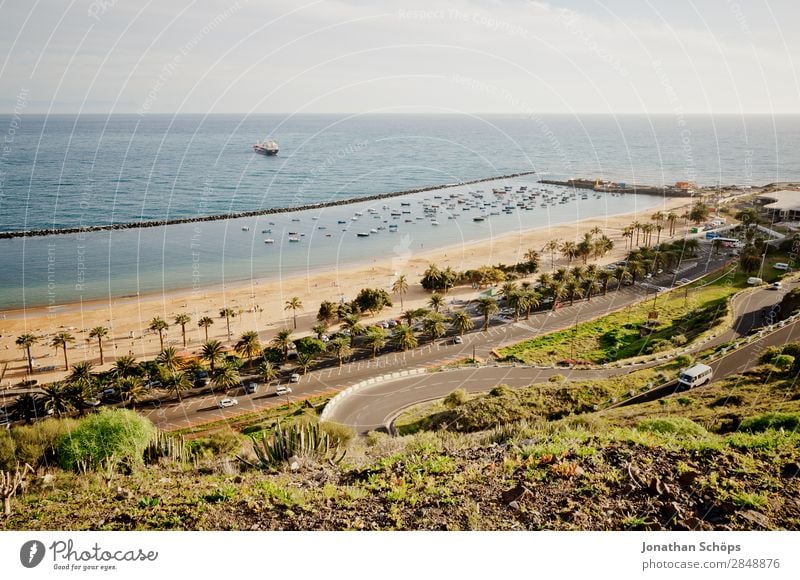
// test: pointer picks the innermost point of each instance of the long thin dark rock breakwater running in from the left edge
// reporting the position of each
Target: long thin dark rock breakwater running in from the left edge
(253, 213)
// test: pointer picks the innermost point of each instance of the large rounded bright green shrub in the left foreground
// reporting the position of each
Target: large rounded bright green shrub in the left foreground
(106, 440)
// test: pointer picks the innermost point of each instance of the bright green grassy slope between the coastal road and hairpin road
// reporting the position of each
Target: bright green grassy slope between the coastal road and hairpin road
(683, 314)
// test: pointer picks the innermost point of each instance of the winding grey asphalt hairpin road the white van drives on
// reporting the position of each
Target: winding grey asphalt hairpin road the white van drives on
(377, 406)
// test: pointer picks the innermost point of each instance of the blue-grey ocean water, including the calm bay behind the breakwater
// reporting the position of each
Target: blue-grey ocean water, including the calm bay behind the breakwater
(75, 171)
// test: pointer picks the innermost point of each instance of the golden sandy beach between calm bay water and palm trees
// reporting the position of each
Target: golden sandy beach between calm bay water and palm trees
(260, 303)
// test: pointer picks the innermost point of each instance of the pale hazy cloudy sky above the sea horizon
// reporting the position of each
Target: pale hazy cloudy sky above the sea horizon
(359, 56)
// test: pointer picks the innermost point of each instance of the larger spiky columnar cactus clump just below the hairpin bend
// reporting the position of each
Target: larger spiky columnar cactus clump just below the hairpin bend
(297, 440)
